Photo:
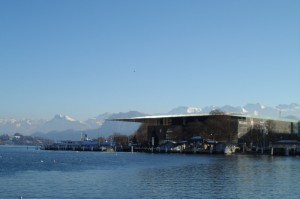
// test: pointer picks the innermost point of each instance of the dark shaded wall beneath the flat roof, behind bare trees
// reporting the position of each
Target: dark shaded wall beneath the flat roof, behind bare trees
(223, 129)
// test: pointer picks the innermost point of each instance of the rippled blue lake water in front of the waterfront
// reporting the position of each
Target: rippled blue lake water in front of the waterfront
(32, 174)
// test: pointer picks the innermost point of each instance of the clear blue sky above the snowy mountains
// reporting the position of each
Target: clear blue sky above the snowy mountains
(84, 58)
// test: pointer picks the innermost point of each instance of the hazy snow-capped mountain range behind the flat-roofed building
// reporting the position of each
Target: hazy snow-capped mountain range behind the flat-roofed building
(63, 127)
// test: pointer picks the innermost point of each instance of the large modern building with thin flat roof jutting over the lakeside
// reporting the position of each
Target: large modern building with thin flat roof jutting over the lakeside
(228, 128)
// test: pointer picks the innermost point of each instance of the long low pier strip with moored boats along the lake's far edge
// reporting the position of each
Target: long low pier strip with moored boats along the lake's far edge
(280, 148)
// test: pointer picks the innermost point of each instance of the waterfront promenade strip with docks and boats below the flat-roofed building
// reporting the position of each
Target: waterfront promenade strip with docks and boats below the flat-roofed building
(282, 148)
